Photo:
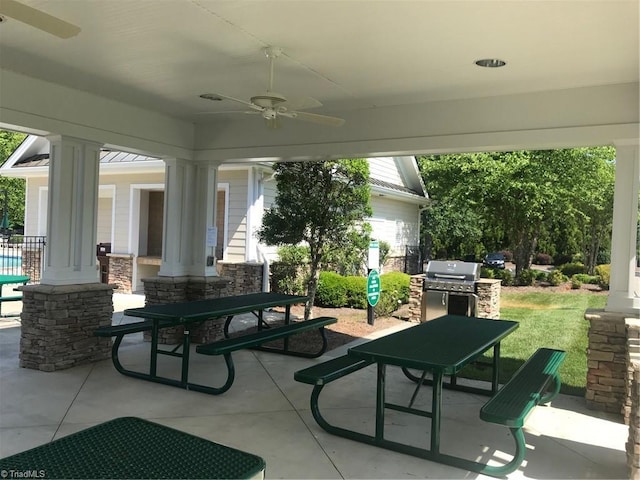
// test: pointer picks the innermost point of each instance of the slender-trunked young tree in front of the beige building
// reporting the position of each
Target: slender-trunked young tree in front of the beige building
(322, 204)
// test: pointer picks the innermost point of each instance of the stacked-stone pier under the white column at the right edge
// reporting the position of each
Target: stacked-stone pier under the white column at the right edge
(607, 371)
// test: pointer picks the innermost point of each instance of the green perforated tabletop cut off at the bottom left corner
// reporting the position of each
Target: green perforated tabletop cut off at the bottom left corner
(130, 447)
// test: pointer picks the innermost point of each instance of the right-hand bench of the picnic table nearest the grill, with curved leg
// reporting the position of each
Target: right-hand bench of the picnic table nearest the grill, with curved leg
(536, 382)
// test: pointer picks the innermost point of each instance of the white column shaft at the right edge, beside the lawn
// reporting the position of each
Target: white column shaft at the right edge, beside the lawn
(624, 285)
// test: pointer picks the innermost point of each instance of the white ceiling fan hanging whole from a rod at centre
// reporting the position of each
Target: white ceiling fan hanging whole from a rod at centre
(272, 105)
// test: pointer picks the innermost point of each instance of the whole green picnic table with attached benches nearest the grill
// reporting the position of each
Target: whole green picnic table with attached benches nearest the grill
(536, 382)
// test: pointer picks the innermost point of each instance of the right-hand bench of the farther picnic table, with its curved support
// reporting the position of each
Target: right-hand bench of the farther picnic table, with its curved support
(257, 340)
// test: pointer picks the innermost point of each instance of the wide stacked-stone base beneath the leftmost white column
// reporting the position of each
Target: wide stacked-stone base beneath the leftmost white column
(58, 322)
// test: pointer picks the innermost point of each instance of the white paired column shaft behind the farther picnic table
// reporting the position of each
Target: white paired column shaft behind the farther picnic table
(189, 216)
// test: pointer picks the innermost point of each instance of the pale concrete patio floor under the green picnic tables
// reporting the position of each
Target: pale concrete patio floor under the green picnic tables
(267, 413)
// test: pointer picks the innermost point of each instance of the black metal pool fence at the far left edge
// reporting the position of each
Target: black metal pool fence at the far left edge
(22, 255)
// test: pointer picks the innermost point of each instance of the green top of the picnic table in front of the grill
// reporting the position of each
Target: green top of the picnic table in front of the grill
(446, 343)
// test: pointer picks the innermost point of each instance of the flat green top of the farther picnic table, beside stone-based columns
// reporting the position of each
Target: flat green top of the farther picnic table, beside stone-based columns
(215, 307)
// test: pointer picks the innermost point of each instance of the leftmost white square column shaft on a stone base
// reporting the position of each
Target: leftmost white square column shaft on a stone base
(72, 212)
